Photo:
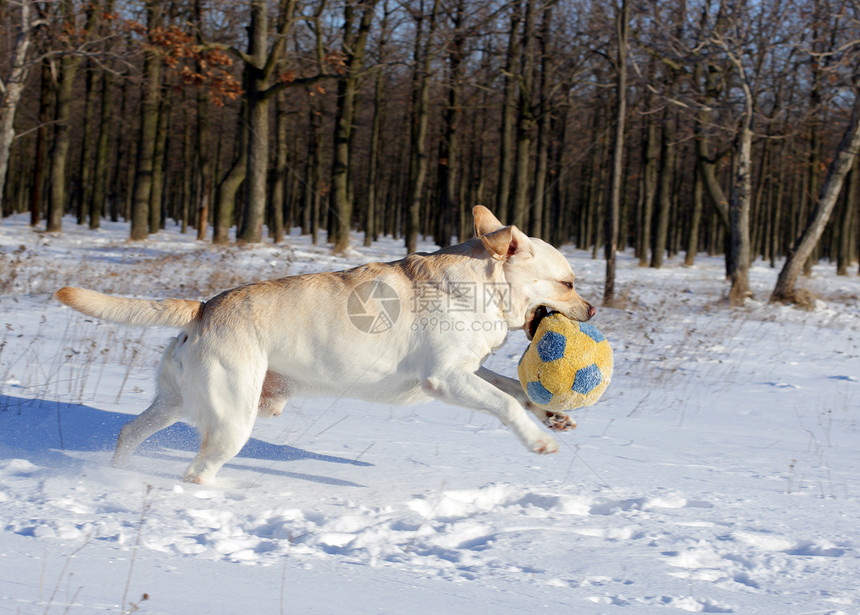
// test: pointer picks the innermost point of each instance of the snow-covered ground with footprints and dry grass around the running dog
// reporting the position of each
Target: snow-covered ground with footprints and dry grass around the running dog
(719, 473)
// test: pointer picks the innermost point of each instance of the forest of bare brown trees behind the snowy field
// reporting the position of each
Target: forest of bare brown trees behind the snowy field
(666, 127)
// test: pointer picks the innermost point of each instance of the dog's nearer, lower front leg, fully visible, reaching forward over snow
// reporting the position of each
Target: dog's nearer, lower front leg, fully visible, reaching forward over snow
(472, 391)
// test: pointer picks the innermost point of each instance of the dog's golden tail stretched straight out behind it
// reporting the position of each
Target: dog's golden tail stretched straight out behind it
(141, 312)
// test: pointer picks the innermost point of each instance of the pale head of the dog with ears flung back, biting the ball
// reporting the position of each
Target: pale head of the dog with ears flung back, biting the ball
(540, 278)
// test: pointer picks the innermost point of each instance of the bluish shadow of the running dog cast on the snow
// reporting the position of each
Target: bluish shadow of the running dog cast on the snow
(45, 430)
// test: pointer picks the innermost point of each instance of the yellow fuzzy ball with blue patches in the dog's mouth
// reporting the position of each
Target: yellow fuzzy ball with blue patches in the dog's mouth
(568, 364)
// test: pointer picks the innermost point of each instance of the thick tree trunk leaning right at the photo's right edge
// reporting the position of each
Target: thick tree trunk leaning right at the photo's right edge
(784, 290)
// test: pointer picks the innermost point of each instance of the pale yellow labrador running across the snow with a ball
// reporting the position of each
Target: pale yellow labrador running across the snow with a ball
(400, 332)
